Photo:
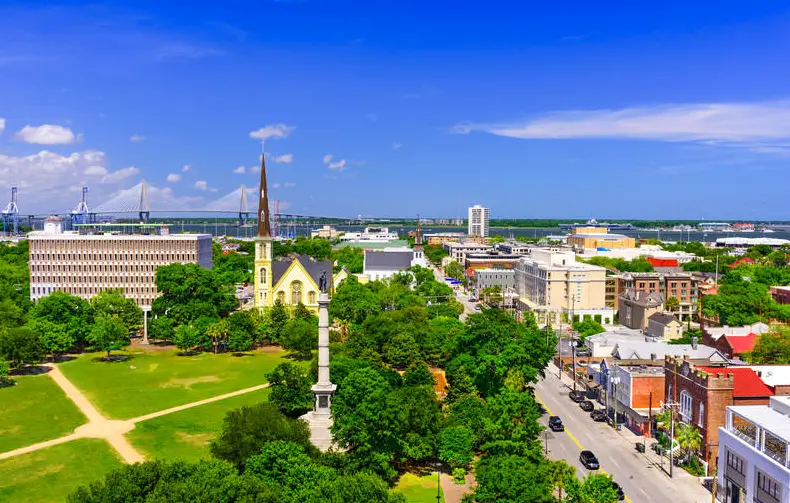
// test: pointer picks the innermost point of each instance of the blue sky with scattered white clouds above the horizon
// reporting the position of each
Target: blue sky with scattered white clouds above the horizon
(571, 110)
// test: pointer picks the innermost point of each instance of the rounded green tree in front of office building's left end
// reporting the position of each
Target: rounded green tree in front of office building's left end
(73, 314)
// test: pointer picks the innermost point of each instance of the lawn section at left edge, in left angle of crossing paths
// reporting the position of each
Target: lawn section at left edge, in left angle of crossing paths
(34, 410)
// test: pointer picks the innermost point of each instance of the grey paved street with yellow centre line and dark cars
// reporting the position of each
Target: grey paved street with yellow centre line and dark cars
(641, 478)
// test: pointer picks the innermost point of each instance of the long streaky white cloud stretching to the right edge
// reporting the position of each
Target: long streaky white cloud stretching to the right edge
(750, 123)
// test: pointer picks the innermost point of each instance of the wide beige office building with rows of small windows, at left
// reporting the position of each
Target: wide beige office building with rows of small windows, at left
(85, 262)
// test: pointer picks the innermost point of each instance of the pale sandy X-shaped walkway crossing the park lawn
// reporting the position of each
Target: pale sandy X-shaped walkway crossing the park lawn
(99, 426)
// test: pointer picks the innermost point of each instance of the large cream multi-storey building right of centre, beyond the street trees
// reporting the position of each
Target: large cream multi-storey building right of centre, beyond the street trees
(555, 287)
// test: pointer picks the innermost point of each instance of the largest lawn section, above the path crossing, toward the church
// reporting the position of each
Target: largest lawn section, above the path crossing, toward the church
(154, 380)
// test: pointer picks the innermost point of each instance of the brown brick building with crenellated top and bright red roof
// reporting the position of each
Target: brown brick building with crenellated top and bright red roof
(703, 393)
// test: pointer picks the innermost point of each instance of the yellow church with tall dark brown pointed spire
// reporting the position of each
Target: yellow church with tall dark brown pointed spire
(292, 280)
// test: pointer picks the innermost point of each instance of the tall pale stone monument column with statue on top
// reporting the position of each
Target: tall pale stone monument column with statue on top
(320, 418)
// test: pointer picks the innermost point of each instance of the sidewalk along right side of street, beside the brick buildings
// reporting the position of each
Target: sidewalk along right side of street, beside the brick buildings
(627, 439)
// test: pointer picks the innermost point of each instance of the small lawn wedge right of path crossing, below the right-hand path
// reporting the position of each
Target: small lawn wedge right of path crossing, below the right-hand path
(186, 434)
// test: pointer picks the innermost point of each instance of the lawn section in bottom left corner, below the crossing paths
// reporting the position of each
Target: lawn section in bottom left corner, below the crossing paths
(49, 475)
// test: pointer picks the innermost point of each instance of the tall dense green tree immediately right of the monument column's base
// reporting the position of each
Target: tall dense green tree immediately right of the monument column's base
(366, 421)
